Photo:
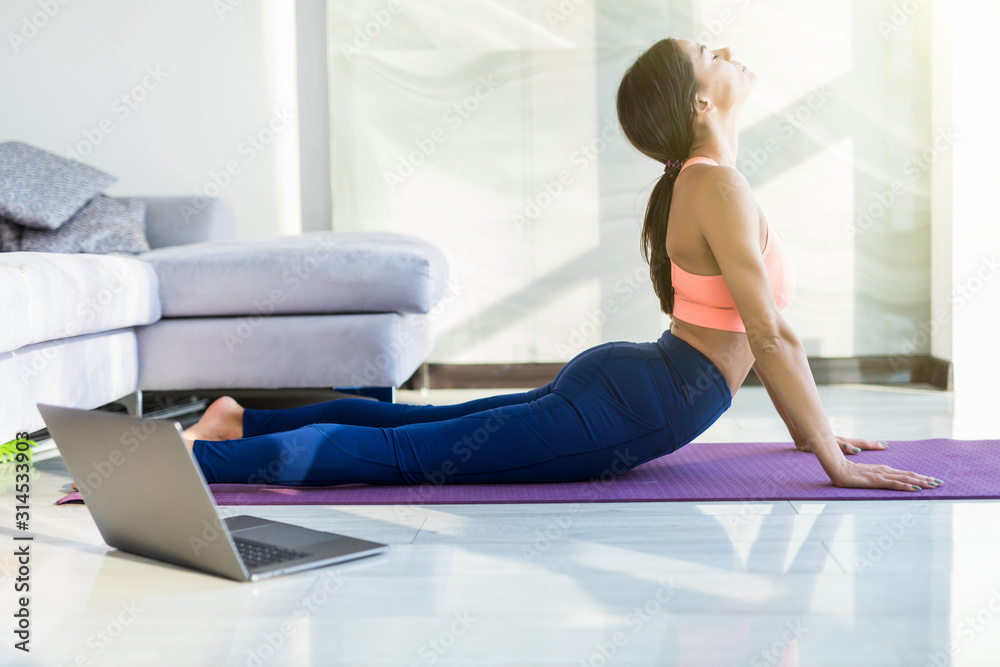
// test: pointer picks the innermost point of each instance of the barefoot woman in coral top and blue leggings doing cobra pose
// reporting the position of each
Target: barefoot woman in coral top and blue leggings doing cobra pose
(616, 405)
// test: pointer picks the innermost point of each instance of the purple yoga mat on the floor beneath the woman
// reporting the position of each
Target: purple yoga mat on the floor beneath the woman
(697, 471)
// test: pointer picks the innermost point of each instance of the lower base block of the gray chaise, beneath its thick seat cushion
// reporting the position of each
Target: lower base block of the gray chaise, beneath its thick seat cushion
(355, 350)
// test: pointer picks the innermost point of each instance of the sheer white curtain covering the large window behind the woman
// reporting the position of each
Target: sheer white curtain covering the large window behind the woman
(489, 129)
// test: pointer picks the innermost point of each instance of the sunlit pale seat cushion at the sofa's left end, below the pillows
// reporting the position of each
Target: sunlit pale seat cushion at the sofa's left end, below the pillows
(47, 296)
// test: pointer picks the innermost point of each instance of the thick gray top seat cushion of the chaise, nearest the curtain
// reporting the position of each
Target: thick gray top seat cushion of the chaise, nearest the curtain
(315, 272)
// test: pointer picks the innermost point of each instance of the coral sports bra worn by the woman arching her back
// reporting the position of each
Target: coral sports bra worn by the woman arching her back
(706, 301)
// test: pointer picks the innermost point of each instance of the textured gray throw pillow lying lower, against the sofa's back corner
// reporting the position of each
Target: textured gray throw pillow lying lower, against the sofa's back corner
(104, 225)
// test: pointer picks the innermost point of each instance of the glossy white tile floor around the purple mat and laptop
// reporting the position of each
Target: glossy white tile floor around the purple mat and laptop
(701, 584)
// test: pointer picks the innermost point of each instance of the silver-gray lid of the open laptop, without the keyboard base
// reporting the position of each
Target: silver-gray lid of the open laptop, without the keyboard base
(143, 487)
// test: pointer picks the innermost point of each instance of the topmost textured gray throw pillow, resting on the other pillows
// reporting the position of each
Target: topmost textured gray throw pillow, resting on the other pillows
(43, 190)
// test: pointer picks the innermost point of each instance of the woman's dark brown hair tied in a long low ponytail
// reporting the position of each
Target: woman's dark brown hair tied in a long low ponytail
(656, 109)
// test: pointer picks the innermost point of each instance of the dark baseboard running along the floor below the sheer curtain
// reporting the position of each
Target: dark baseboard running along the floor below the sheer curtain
(878, 369)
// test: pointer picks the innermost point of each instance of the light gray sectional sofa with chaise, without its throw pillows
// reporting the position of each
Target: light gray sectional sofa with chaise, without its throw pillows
(203, 310)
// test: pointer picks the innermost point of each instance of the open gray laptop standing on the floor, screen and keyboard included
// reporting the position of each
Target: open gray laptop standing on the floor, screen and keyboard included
(148, 496)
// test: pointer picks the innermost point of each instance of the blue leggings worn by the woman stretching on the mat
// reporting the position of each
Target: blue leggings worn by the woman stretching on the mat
(610, 408)
